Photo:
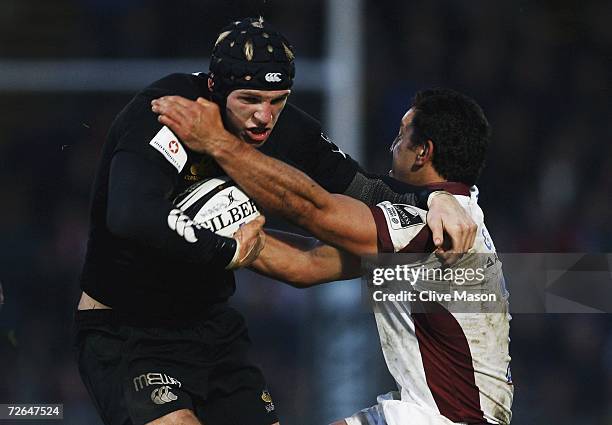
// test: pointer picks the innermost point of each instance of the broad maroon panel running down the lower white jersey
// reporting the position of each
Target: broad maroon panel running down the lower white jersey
(447, 361)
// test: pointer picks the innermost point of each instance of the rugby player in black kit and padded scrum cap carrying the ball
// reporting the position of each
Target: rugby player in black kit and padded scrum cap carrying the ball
(156, 341)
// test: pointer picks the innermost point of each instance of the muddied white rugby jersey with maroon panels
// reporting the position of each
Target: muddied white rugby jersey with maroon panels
(456, 364)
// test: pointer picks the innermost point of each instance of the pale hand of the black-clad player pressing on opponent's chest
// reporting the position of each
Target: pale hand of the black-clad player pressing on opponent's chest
(453, 230)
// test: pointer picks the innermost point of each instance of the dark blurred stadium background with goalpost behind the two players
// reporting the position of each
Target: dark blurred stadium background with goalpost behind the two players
(540, 69)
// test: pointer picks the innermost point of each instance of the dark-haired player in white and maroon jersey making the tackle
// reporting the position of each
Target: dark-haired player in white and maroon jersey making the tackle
(449, 367)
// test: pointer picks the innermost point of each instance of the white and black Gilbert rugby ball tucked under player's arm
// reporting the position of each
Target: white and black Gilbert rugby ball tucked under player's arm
(217, 204)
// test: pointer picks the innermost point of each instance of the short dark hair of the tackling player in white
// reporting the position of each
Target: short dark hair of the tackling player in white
(457, 127)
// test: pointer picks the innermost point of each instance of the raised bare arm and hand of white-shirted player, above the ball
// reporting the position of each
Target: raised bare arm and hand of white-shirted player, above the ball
(336, 219)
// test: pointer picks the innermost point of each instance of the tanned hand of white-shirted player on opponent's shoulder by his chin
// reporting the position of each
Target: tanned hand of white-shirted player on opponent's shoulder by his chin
(198, 124)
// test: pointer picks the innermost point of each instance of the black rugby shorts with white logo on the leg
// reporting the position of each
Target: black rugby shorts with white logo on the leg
(137, 374)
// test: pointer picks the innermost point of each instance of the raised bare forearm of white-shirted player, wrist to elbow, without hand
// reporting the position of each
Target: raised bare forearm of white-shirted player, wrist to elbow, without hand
(274, 185)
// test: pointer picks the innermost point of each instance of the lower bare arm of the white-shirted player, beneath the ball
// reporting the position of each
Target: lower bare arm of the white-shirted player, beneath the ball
(303, 262)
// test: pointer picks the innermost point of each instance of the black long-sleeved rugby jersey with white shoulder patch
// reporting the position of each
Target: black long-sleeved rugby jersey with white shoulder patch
(134, 262)
